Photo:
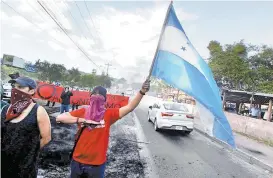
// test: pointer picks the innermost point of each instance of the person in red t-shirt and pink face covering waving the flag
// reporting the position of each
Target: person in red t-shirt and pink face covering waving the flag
(94, 122)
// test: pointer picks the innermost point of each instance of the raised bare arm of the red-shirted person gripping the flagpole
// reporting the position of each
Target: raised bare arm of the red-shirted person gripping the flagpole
(123, 111)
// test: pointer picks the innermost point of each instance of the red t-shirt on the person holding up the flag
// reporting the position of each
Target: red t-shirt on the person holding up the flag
(93, 144)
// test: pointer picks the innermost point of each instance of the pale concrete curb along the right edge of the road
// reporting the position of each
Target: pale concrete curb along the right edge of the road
(239, 153)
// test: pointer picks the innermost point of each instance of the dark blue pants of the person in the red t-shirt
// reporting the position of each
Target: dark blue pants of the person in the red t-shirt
(79, 170)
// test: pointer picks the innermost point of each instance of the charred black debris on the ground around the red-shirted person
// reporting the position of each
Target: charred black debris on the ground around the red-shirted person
(123, 155)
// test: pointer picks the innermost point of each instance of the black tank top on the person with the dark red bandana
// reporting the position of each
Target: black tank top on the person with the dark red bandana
(20, 145)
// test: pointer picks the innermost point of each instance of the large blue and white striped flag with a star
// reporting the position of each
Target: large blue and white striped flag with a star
(178, 63)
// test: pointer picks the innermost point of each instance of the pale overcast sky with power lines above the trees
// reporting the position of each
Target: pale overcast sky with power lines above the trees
(122, 33)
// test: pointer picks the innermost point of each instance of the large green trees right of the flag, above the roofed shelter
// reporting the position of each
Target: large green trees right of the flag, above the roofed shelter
(242, 66)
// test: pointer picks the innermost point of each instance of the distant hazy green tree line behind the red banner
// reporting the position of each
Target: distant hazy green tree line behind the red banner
(51, 72)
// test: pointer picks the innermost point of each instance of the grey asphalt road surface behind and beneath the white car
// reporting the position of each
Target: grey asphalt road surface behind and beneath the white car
(176, 155)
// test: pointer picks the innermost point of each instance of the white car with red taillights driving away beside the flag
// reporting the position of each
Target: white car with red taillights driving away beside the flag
(171, 116)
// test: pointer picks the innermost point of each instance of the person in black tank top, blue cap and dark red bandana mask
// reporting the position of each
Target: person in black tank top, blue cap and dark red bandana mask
(25, 129)
